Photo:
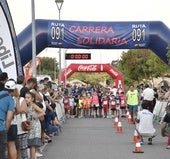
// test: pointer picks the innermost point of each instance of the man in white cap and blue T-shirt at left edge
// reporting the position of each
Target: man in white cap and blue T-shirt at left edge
(6, 114)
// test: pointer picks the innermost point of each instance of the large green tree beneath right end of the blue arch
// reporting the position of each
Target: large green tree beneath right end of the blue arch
(137, 65)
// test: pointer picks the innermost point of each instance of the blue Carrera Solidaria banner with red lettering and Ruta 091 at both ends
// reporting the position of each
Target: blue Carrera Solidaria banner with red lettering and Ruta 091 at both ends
(98, 35)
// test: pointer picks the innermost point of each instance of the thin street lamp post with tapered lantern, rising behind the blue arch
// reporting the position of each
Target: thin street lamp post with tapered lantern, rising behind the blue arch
(59, 6)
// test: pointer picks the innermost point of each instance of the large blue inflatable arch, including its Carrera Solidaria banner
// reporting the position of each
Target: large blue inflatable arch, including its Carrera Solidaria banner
(154, 35)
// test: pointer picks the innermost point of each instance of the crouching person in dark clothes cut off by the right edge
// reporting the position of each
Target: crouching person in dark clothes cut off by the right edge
(165, 129)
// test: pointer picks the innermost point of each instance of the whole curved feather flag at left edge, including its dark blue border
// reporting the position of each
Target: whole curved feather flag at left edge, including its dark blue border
(9, 52)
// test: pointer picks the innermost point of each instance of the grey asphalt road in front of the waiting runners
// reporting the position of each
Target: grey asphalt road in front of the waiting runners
(98, 139)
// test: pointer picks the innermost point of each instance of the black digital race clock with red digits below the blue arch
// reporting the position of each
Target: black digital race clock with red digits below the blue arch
(78, 56)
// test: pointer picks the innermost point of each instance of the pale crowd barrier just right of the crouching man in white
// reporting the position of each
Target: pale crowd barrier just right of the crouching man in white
(159, 111)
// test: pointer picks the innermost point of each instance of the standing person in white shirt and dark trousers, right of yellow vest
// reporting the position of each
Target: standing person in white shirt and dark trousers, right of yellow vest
(148, 96)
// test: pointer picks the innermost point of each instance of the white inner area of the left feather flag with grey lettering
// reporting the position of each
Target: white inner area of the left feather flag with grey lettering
(7, 50)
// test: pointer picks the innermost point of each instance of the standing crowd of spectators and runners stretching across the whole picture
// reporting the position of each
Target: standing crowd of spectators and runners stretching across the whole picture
(36, 101)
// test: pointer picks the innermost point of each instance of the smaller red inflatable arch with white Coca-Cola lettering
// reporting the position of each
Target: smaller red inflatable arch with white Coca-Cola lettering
(108, 68)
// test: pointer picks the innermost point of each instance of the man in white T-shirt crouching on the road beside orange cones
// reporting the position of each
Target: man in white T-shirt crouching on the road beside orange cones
(144, 124)
